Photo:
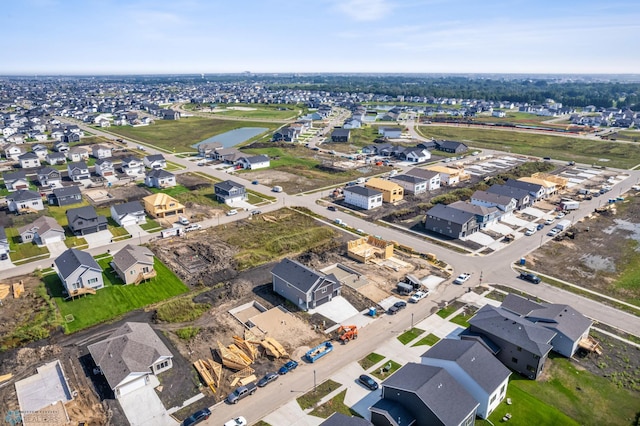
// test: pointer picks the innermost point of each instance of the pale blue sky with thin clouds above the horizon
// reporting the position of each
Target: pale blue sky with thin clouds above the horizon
(395, 36)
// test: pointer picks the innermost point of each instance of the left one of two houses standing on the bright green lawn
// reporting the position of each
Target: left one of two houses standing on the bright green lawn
(79, 272)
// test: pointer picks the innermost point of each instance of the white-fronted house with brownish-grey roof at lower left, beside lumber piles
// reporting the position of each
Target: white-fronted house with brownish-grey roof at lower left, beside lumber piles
(129, 356)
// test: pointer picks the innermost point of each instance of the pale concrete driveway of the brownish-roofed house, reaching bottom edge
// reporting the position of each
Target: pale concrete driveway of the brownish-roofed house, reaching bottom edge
(143, 407)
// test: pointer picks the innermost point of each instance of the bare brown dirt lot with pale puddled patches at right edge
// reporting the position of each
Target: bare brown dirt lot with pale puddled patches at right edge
(603, 256)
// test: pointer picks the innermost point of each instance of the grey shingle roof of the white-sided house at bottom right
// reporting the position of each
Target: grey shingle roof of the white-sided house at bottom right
(472, 357)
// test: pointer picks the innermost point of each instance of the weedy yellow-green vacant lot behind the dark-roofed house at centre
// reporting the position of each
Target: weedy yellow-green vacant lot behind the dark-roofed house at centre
(274, 235)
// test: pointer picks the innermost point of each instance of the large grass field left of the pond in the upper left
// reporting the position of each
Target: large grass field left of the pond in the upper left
(179, 135)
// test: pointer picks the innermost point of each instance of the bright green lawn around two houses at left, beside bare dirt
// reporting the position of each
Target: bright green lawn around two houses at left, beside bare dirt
(115, 299)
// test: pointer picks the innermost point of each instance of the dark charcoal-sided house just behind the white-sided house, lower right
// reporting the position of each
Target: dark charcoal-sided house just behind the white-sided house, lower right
(518, 343)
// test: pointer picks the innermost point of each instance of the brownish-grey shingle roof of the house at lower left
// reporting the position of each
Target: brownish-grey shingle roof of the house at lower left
(132, 348)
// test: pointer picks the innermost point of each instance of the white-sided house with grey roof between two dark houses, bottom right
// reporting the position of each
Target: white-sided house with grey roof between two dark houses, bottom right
(475, 368)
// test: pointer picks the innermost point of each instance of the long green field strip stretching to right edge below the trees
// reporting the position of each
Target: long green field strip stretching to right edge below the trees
(587, 151)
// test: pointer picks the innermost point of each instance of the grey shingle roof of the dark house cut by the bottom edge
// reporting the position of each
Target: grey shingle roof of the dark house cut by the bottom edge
(444, 396)
